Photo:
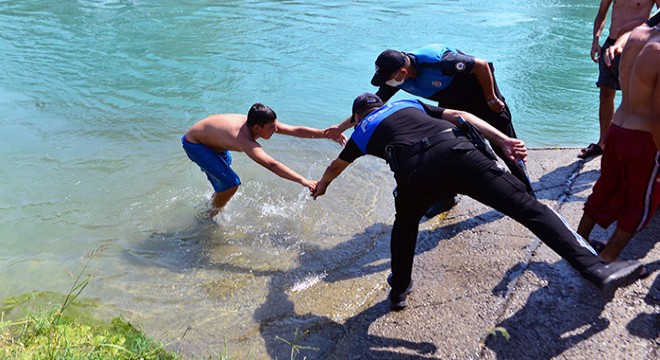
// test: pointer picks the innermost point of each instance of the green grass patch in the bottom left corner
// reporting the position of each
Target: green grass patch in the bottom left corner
(58, 330)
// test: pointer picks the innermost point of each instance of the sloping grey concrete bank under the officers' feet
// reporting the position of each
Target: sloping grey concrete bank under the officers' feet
(485, 288)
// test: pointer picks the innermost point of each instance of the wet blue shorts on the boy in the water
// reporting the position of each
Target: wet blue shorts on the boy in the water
(216, 165)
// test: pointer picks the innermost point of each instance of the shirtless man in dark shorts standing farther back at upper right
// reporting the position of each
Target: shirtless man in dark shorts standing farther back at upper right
(626, 15)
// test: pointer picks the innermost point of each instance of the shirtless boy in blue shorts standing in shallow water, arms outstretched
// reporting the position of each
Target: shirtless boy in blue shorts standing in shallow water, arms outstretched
(209, 141)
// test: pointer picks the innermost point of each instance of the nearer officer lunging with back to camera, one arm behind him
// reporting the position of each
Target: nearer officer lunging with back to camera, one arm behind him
(433, 158)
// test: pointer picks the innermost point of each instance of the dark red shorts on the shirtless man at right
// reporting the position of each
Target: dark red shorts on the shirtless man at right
(628, 190)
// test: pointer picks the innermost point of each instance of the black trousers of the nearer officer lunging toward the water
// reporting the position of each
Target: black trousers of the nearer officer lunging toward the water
(455, 166)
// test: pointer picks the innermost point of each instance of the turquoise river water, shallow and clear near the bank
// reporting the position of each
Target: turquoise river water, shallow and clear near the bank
(95, 95)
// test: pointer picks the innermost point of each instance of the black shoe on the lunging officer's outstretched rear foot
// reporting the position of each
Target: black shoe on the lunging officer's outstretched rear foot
(617, 274)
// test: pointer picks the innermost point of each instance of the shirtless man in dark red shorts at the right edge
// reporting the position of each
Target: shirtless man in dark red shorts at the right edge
(628, 190)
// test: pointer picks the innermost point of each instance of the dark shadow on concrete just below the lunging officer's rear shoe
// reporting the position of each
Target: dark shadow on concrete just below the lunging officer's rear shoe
(547, 324)
